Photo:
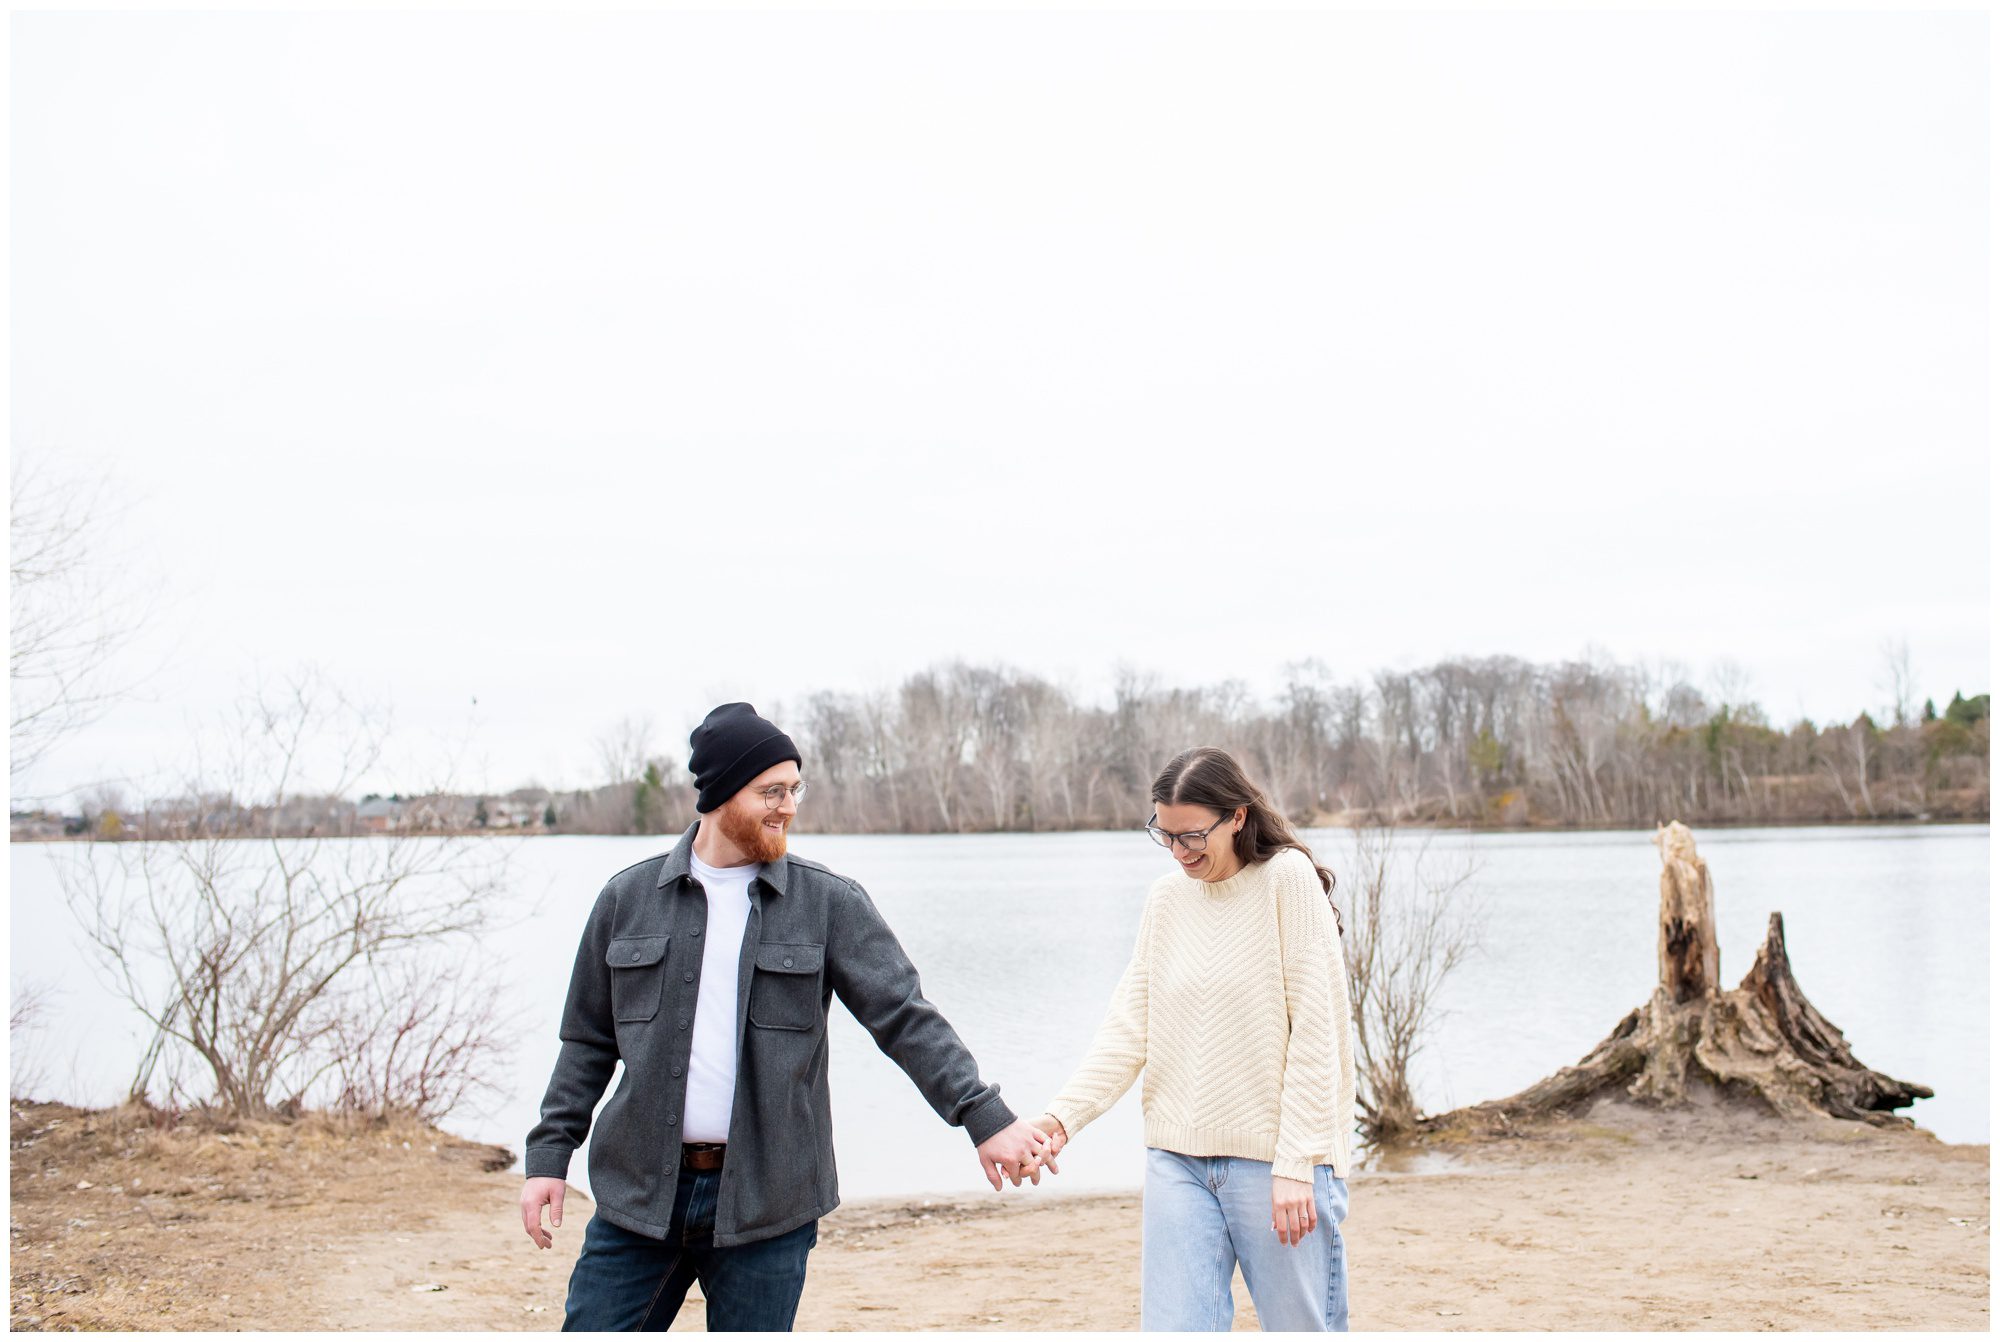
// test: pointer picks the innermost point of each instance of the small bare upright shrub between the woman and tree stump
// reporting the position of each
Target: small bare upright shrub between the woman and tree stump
(1411, 923)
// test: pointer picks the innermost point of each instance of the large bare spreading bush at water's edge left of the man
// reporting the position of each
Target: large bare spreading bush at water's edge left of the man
(247, 949)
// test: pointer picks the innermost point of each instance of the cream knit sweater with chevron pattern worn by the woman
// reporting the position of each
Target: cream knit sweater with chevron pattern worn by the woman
(1237, 1009)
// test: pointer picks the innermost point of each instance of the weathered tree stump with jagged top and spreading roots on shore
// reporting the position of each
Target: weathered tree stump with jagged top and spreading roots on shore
(1761, 1041)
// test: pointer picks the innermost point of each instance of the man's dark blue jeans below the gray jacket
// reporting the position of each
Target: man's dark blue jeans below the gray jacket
(627, 1281)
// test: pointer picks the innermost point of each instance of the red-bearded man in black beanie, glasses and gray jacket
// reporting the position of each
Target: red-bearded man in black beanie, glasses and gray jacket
(709, 973)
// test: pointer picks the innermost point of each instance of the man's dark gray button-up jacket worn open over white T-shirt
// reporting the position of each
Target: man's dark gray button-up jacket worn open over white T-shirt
(633, 991)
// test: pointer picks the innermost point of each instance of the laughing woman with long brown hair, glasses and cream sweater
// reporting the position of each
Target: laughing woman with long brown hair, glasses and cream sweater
(1237, 1009)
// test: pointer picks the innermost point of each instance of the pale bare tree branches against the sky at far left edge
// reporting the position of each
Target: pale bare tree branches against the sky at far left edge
(71, 609)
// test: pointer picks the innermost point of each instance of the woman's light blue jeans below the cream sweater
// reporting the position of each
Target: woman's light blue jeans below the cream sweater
(1203, 1217)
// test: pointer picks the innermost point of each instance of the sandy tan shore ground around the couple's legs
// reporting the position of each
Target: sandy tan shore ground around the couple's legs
(1625, 1219)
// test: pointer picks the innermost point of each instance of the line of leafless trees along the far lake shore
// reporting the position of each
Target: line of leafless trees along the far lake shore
(1461, 743)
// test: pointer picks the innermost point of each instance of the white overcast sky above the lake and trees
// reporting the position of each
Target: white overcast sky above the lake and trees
(599, 365)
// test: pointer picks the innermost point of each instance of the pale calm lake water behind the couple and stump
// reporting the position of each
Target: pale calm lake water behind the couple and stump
(1021, 939)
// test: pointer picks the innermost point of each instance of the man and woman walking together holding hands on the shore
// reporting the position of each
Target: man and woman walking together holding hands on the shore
(709, 973)
